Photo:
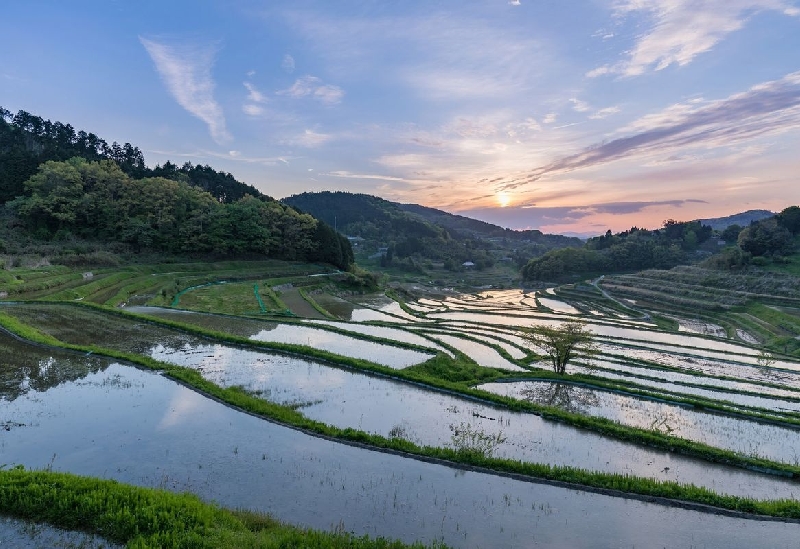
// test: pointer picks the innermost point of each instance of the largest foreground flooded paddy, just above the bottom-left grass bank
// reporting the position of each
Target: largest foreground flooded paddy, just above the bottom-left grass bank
(146, 430)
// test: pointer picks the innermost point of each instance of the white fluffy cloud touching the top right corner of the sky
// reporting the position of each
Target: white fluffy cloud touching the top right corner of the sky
(684, 29)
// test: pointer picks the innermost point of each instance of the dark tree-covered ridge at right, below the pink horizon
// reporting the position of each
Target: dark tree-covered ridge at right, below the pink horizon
(674, 244)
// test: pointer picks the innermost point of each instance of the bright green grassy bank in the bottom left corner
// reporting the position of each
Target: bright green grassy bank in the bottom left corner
(148, 518)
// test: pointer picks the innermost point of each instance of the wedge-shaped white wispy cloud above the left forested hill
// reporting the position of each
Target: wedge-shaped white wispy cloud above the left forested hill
(186, 71)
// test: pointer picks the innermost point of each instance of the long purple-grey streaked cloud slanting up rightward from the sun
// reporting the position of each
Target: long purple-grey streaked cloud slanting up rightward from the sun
(765, 109)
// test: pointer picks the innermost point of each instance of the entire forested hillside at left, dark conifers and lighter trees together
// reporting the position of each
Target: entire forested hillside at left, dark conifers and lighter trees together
(62, 184)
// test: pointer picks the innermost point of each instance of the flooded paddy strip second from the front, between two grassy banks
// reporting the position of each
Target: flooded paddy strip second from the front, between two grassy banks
(348, 399)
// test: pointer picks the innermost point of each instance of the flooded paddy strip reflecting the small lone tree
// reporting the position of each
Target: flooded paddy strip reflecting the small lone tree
(744, 437)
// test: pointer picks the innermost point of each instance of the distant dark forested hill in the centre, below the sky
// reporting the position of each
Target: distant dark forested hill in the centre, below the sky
(405, 234)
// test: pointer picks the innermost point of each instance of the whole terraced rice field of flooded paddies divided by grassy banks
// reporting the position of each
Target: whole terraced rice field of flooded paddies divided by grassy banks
(451, 372)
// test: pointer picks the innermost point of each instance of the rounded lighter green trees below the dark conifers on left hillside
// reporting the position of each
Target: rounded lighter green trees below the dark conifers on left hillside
(97, 200)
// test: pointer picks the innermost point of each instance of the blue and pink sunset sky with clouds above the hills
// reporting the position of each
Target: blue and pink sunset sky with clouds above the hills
(571, 117)
